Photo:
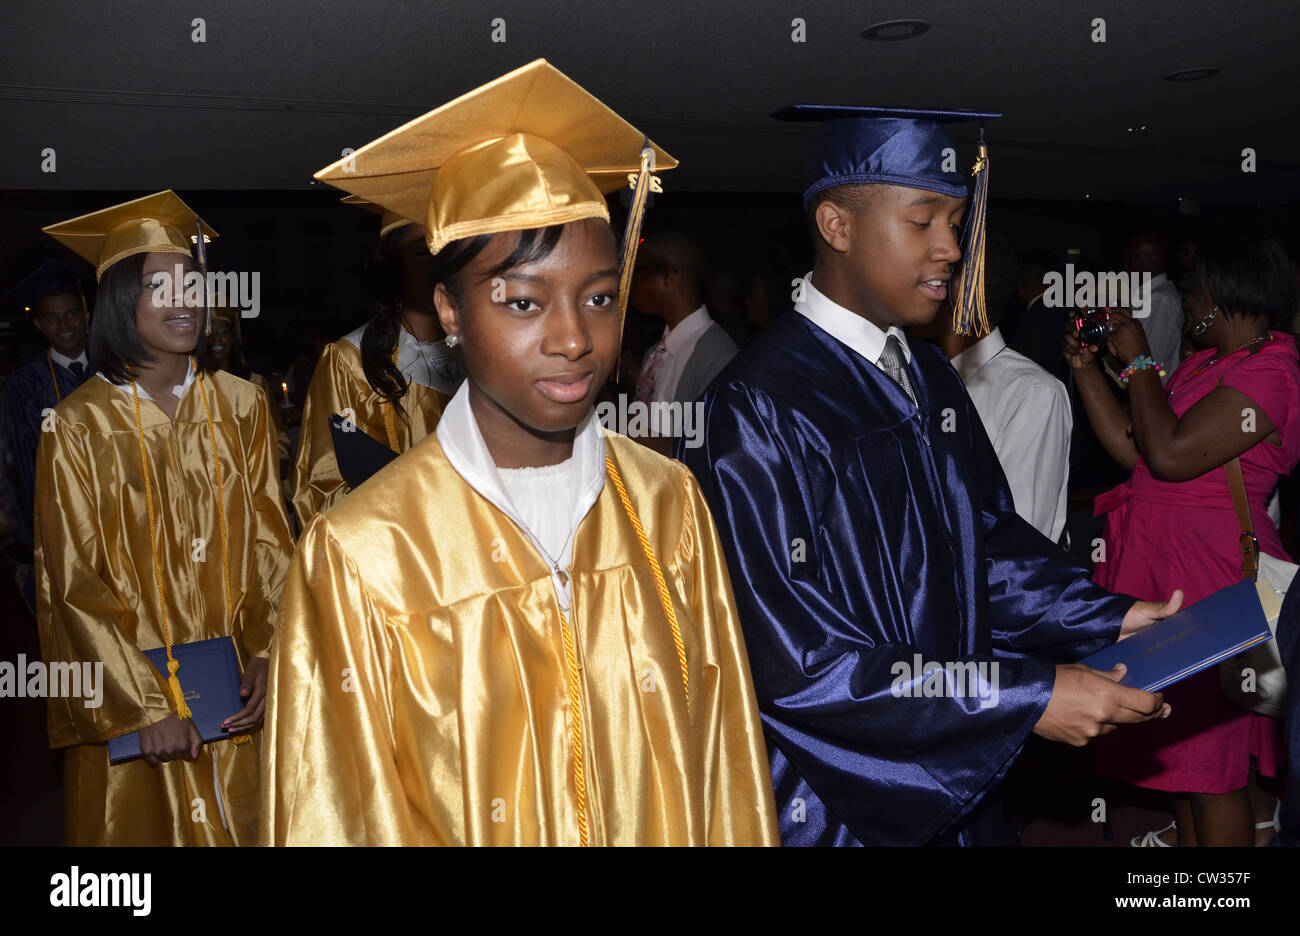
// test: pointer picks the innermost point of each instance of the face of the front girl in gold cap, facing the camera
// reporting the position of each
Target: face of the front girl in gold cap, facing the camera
(541, 339)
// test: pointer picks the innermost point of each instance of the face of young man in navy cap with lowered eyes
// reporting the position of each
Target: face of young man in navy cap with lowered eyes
(900, 252)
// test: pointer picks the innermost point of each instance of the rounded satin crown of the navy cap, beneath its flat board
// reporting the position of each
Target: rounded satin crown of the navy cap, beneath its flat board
(886, 150)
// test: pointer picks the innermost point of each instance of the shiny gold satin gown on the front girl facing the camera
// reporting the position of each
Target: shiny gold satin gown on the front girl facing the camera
(419, 681)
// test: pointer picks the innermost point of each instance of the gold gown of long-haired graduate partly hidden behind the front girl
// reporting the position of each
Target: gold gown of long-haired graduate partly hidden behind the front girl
(339, 384)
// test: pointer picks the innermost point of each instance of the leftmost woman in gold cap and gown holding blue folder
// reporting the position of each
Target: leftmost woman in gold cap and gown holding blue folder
(159, 523)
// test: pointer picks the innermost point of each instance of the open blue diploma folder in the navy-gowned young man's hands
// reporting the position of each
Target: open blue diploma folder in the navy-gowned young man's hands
(1221, 626)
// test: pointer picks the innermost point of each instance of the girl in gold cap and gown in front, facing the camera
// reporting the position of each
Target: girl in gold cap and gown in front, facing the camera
(522, 630)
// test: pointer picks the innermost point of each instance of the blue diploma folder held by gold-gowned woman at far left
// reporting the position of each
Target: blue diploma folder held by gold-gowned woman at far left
(210, 678)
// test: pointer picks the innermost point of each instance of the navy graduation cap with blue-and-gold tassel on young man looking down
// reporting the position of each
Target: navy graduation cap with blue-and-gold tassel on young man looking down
(904, 148)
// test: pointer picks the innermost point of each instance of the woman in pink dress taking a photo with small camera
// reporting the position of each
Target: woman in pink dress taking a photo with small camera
(1173, 523)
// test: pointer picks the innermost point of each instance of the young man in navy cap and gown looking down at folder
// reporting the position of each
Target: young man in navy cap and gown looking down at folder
(870, 531)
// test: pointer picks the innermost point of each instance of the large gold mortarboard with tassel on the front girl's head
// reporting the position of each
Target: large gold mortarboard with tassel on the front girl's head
(528, 150)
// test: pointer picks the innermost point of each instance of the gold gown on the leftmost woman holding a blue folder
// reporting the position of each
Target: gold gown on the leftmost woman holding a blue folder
(97, 600)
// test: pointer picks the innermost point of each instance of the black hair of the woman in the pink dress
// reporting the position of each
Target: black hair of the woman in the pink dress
(1247, 274)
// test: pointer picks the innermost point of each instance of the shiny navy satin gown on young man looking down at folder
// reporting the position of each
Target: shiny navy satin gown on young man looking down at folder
(911, 547)
